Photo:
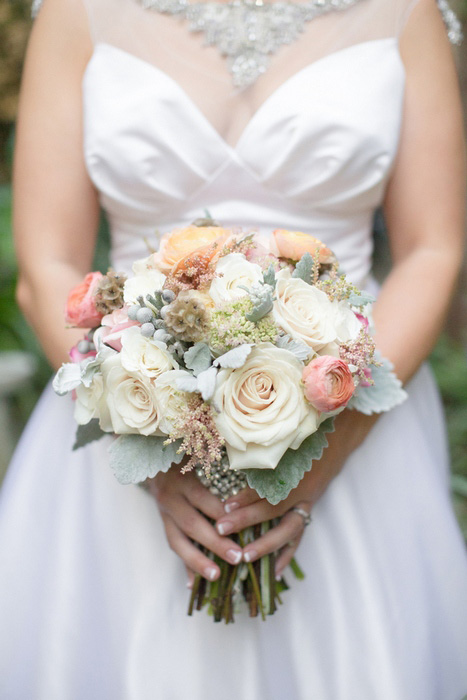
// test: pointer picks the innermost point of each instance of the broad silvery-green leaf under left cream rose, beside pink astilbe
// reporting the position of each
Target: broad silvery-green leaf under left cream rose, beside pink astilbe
(134, 458)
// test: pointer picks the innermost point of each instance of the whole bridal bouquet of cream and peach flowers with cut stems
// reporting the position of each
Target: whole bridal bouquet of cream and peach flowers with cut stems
(229, 355)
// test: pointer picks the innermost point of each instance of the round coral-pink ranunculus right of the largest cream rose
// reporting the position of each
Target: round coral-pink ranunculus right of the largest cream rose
(328, 383)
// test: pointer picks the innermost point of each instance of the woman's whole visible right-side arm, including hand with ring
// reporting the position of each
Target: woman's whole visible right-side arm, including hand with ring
(424, 210)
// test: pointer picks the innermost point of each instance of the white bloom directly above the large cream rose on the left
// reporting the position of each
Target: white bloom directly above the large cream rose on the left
(145, 355)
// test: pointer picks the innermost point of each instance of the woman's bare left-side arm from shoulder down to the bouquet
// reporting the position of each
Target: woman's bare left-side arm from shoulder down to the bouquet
(55, 213)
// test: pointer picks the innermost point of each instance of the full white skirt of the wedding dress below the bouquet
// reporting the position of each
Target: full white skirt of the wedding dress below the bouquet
(93, 602)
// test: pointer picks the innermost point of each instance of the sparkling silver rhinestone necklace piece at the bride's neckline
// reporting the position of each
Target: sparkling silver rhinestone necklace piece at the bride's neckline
(247, 32)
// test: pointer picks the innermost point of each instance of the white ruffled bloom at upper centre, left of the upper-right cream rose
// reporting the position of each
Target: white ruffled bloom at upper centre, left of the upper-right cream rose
(232, 271)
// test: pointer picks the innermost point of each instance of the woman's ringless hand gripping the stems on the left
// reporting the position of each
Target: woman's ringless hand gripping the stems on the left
(185, 506)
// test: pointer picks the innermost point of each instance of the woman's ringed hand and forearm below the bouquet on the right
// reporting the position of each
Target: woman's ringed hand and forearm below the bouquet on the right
(247, 509)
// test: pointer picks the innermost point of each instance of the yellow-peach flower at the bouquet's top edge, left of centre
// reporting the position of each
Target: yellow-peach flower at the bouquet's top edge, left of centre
(180, 243)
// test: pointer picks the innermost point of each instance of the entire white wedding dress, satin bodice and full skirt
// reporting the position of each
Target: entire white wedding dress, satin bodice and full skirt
(93, 602)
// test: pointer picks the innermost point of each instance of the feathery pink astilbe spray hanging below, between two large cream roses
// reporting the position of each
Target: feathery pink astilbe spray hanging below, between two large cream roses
(201, 441)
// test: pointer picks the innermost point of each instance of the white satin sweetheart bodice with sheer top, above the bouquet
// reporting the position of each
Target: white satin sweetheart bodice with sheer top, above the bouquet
(314, 153)
